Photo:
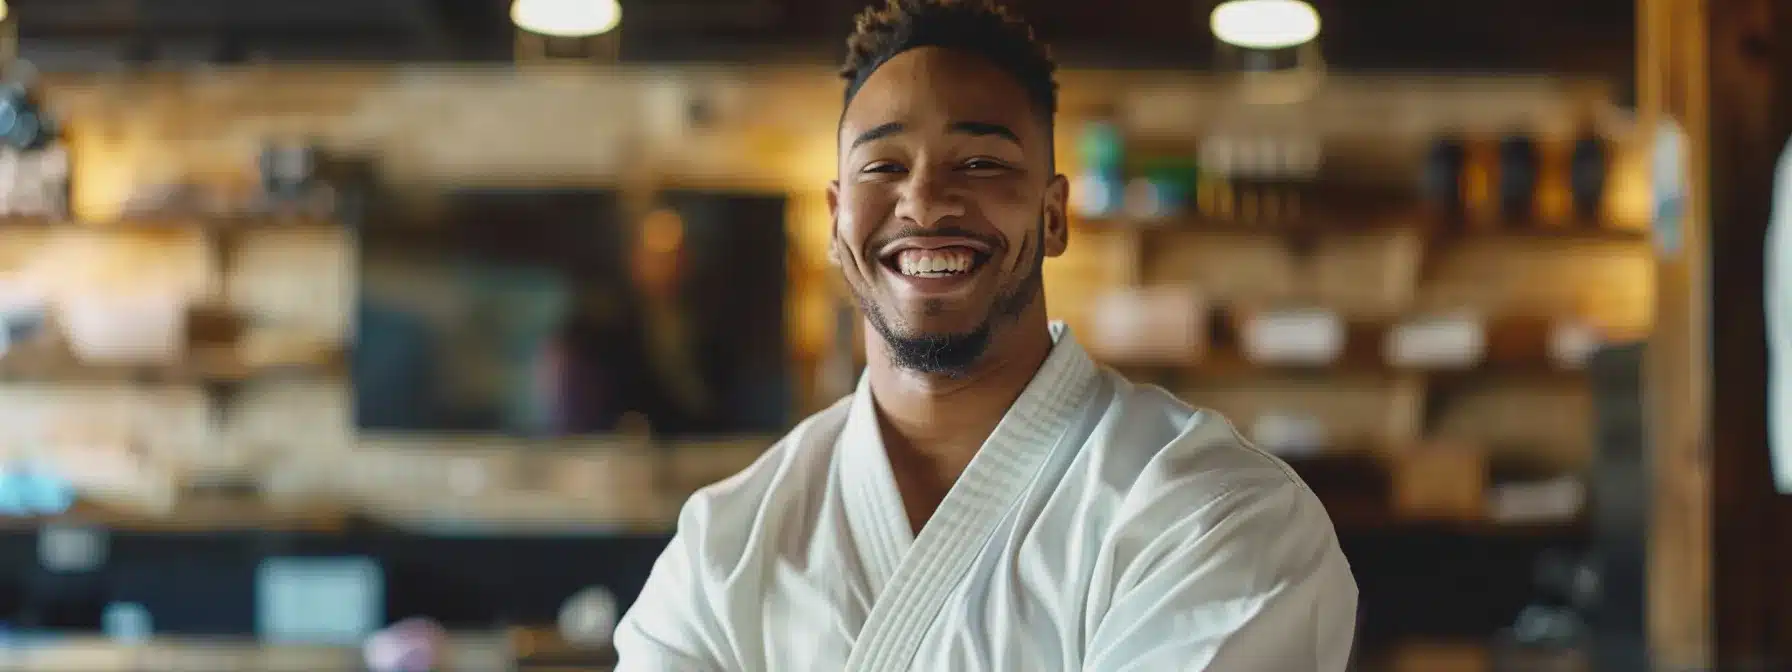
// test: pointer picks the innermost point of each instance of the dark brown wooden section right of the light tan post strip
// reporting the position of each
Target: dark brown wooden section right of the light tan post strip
(1750, 114)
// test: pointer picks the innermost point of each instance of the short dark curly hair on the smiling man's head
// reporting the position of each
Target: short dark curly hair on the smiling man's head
(969, 26)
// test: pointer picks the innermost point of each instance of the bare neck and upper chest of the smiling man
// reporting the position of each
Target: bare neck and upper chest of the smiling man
(945, 420)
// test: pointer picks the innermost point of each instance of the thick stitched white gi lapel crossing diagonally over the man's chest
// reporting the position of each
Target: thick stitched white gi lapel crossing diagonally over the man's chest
(988, 488)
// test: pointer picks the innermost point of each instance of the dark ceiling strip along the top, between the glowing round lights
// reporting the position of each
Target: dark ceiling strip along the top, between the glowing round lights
(1581, 37)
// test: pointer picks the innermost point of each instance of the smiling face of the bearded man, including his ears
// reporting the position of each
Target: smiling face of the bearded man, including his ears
(945, 205)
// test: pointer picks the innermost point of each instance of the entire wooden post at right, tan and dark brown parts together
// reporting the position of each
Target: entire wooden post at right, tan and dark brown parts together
(1721, 537)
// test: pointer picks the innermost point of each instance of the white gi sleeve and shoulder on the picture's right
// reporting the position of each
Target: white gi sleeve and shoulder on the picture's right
(1223, 562)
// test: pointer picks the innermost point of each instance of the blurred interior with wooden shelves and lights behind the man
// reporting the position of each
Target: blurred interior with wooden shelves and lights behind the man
(336, 314)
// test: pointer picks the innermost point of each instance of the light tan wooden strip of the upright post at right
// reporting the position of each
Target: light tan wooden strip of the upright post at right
(1673, 94)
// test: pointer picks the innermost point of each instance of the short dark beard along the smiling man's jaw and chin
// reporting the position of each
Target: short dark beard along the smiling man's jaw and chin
(954, 354)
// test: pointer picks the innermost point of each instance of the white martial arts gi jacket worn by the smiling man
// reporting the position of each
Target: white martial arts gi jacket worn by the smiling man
(1105, 526)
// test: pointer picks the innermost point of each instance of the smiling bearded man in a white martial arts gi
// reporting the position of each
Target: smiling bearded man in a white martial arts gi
(988, 499)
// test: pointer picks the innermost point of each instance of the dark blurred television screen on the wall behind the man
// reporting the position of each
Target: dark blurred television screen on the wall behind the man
(549, 313)
